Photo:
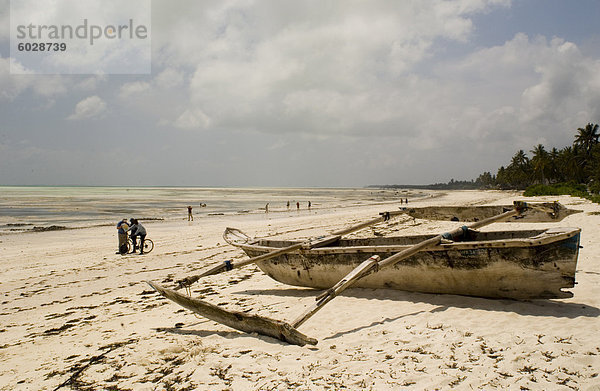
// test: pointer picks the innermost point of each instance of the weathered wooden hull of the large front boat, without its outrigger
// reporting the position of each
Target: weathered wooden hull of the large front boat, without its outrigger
(505, 264)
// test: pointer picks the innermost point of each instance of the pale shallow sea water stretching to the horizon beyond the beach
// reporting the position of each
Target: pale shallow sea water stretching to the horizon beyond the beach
(24, 208)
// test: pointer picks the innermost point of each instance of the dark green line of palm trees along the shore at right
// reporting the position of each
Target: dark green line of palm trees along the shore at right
(578, 163)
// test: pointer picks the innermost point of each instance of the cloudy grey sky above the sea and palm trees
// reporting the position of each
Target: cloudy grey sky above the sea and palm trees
(338, 93)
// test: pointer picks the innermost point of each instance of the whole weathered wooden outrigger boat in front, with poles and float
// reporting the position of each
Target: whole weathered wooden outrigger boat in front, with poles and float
(514, 264)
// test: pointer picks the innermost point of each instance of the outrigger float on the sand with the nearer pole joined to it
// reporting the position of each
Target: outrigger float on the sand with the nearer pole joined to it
(287, 332)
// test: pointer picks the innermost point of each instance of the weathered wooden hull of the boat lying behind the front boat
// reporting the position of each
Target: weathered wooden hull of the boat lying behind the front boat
(547, 212)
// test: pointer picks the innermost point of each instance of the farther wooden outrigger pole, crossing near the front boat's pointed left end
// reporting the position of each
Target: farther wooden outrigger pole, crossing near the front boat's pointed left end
(307, 244)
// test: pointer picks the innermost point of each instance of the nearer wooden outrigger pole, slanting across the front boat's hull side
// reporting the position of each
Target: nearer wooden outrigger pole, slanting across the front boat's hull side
(373, 265)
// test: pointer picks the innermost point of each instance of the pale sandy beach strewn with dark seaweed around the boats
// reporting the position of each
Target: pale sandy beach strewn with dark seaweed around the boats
(75, 315)
